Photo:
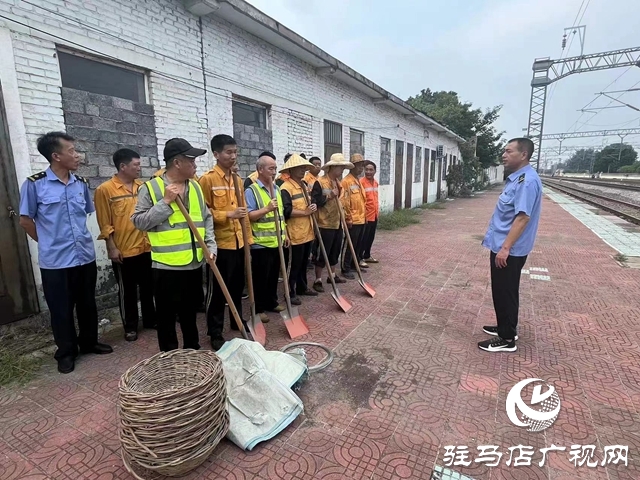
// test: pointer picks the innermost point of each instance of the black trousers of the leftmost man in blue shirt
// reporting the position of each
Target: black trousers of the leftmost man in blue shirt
(66, 289)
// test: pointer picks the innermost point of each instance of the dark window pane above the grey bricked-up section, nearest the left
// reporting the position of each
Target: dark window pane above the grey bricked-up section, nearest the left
(81, 73)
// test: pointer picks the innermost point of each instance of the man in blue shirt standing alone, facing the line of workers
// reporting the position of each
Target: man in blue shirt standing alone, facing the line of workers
(510, 237)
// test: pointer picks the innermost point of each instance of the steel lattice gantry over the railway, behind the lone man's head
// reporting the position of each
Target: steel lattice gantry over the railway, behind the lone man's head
(547, 71)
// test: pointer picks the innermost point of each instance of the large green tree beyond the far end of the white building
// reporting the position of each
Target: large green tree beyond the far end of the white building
(447, 109)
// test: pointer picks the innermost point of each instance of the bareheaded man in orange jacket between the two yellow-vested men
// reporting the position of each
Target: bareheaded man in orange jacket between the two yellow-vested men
(220, 195)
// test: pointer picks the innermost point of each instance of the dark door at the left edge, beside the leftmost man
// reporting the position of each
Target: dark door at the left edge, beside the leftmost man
(17, 287)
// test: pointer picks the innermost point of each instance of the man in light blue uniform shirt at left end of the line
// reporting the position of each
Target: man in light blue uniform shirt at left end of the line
(54, 205)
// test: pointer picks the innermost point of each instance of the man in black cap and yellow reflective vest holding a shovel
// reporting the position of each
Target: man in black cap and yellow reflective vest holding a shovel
(175, 254)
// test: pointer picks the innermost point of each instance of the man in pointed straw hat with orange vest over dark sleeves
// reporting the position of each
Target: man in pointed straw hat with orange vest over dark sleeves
(297, 214)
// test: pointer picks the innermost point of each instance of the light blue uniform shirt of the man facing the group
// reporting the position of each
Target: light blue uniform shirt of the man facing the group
(522, 194)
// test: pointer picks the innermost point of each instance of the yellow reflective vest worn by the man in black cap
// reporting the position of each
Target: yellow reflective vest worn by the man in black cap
(172, 242)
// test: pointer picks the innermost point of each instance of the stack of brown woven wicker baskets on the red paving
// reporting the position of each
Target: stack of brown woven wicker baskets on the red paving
(172, 412)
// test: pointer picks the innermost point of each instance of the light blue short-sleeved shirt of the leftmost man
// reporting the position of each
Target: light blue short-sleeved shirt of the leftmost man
(60, 213)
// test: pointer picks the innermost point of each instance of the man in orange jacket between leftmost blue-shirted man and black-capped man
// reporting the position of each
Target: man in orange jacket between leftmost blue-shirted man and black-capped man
(128, 248)
